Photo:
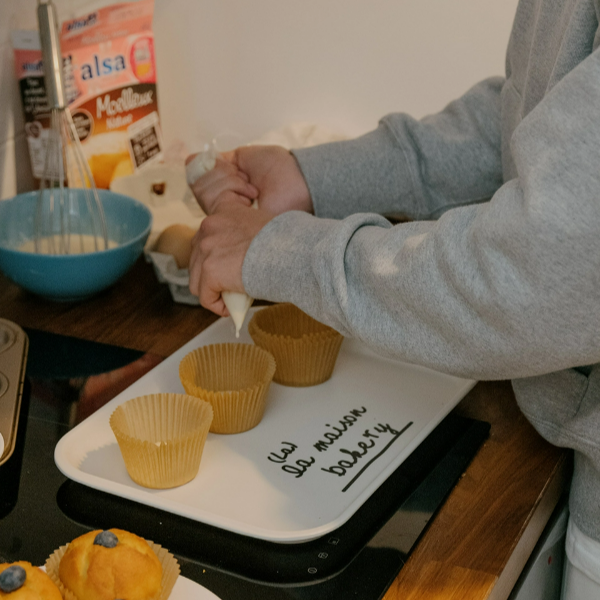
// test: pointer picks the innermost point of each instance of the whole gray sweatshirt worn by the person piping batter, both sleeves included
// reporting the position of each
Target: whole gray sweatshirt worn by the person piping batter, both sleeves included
(498, 276)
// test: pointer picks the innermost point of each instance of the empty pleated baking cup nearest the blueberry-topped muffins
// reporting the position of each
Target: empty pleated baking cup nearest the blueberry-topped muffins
(161, 437)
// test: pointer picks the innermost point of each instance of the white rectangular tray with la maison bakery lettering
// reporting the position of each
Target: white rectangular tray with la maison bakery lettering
(259, 483)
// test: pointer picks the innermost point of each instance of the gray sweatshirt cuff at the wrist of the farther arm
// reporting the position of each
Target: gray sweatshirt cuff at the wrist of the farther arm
(368, 174)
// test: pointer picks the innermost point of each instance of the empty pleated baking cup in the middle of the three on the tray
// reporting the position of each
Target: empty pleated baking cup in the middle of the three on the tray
(234, 379)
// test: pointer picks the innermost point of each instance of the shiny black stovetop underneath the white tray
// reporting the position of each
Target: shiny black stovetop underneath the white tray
(40, 509)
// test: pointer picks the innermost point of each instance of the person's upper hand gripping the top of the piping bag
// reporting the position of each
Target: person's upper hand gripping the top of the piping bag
(267, 173)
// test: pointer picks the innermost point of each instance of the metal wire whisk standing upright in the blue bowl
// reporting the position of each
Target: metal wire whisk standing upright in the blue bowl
(69, 215)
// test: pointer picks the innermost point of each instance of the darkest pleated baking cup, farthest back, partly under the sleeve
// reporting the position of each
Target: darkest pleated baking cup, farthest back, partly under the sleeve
(305, 350)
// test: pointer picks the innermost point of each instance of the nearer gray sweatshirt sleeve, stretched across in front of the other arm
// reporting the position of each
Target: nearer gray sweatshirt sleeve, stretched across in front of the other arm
(504, 289)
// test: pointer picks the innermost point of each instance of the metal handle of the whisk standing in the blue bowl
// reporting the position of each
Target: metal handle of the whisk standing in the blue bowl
(51, 55)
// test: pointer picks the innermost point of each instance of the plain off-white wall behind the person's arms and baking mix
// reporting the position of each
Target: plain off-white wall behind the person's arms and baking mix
(251, 66)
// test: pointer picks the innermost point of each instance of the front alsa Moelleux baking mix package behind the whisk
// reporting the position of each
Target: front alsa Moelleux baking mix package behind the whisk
(112, 77)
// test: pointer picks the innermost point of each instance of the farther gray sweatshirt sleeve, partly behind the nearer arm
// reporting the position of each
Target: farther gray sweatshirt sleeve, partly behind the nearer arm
(409, 167)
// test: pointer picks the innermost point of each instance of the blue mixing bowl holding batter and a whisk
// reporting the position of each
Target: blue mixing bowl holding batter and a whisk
(75, 276)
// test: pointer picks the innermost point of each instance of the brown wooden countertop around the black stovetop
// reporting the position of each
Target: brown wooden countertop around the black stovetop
(480, 540)
